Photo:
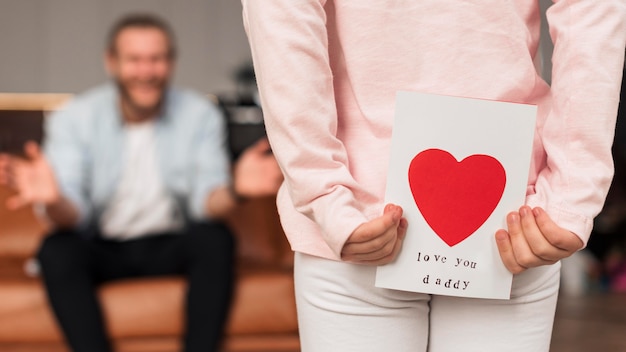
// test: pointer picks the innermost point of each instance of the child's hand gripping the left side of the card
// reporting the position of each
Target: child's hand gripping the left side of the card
(377, 242)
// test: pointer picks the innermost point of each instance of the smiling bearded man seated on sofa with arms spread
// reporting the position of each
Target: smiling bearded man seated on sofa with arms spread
(135, 177)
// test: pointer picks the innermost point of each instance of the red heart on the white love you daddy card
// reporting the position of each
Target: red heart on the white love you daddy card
(455, 198)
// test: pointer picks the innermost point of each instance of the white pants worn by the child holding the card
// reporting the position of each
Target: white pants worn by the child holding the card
(340, 309)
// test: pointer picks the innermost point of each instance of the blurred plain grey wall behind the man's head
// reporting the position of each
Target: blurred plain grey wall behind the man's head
(56, 46)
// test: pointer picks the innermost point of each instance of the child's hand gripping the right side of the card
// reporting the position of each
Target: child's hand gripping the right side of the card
(533, 239)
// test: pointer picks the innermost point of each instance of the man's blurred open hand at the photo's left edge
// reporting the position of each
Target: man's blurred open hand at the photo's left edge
(32, 178)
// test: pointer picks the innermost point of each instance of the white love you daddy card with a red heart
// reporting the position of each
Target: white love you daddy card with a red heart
(457, 167)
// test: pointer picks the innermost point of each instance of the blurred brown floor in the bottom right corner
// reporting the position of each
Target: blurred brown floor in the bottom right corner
(594, 322)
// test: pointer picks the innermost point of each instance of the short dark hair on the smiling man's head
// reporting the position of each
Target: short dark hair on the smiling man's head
(141, 20)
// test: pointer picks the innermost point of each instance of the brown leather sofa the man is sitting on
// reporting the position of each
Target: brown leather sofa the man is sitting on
(141, 315)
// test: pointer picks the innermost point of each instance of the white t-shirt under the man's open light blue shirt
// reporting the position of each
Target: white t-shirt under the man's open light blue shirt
(141, 205)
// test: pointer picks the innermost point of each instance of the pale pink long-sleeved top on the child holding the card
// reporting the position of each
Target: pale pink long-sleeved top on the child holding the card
(328, 73)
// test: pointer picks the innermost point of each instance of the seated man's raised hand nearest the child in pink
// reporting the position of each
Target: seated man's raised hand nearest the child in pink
(256, 173)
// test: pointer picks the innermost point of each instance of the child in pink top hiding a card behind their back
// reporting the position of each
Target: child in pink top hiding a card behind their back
(328, 73)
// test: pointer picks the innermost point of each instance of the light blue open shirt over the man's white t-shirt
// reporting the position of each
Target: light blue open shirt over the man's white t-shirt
(84, 144)
